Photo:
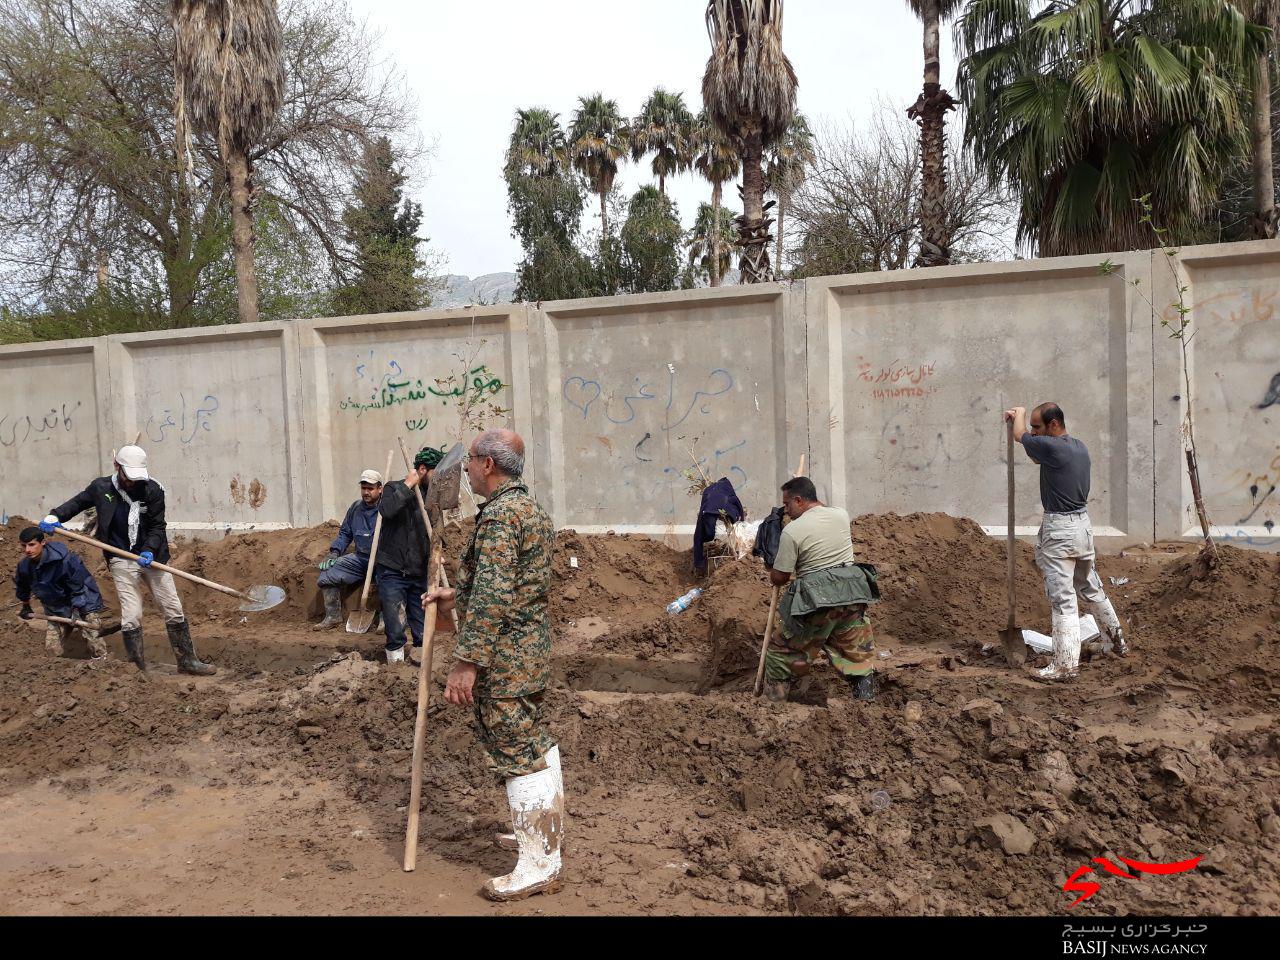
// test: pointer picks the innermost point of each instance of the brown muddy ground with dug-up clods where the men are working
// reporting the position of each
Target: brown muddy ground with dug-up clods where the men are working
(280, 787)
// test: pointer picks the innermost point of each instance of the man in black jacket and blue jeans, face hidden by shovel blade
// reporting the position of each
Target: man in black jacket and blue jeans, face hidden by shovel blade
(403, 555)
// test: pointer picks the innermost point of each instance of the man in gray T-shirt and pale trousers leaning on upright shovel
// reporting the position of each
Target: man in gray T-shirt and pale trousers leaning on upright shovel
(1064, 552)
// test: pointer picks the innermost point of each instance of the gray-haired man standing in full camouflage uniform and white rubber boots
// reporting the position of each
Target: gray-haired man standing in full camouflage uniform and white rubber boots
(504, 657)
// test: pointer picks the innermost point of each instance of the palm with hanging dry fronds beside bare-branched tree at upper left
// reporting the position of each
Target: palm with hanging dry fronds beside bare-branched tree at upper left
(230, 67)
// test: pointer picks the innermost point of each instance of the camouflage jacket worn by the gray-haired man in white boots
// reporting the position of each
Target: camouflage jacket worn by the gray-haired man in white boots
(504, 588)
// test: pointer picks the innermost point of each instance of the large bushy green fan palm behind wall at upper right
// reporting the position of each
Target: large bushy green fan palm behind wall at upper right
(1081, 108)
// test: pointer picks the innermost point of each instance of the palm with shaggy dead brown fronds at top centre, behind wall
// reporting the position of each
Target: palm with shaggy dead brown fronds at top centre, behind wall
(749, 92)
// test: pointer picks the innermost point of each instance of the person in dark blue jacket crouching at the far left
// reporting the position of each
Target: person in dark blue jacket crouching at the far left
(65, 587)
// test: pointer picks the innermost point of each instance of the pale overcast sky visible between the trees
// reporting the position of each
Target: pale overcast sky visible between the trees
(473, 65)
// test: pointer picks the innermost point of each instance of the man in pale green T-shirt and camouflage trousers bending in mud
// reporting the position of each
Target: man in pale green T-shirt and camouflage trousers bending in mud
(826, 605)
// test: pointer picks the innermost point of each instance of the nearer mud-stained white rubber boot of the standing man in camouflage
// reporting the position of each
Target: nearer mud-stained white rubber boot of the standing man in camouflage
(538, 815)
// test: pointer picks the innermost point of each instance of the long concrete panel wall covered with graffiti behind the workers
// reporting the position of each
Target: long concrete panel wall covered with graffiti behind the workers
(890, 385)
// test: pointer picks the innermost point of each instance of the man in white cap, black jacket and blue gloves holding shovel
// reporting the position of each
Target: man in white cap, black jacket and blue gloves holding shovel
(130, 509)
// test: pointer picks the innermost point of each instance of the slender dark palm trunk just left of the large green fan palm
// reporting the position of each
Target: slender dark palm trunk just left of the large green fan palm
(930, 111)
